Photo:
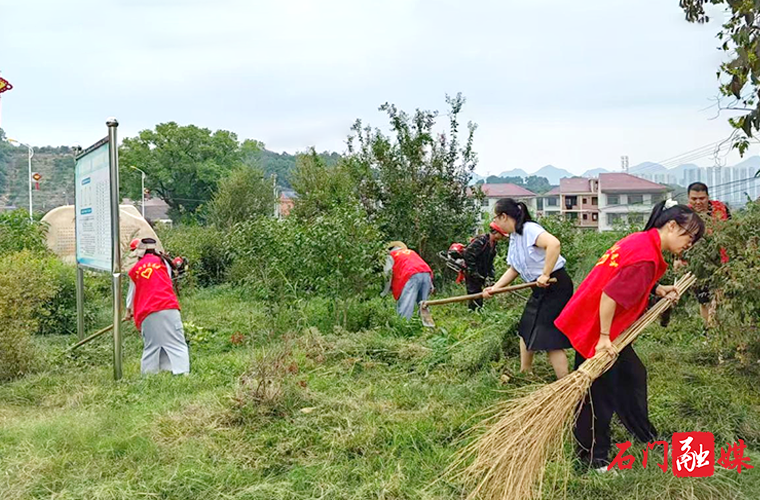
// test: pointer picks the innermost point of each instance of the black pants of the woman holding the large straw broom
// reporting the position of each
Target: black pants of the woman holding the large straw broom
(622, 390)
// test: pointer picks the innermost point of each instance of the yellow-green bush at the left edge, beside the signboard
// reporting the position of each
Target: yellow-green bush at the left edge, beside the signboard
(27, 285)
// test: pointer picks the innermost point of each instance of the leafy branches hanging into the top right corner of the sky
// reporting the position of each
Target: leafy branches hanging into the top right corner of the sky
(739, 76)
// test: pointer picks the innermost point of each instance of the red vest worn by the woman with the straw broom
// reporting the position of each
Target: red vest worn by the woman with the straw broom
(579, 320)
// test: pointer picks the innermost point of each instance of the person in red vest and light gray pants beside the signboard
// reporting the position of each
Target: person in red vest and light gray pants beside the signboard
(152, 303)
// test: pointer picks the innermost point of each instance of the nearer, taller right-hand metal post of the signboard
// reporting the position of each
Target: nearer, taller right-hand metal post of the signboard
(113, 162)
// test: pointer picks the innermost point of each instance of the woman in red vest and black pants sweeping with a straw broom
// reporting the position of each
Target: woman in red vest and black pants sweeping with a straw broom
(608, 301)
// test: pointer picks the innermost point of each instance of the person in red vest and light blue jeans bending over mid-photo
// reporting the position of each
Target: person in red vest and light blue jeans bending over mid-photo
(411, 280)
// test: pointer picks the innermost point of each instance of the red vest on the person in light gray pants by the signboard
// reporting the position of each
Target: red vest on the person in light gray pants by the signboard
(153, 288)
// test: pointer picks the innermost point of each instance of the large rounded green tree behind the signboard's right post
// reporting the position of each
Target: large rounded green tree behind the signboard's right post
(183, 165)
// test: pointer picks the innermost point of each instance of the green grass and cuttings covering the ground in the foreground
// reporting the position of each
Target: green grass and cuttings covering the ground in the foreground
(346, 415)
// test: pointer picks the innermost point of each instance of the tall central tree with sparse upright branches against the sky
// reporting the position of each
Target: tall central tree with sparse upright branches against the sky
(415, 183)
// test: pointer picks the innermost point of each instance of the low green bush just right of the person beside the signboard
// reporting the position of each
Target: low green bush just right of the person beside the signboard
(204, 248)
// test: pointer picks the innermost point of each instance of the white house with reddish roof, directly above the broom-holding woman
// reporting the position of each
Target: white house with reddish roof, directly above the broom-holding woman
(626, 199)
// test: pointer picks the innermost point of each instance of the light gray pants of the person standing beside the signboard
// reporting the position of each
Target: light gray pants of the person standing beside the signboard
(164, 346)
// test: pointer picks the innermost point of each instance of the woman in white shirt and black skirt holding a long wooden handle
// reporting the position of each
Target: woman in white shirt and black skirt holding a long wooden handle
(534, 255)
